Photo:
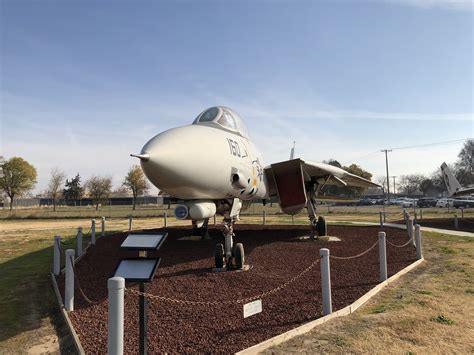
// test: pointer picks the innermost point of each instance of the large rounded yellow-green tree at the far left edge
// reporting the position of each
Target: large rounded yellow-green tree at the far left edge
(18, 178)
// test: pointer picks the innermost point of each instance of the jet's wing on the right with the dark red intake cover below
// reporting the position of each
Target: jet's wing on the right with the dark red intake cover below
(287, 181)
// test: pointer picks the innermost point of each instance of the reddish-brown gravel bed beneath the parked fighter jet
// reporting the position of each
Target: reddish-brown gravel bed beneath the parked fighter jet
(185, 273)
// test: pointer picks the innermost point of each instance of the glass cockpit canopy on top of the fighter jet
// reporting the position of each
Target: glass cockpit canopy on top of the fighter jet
(222, 117)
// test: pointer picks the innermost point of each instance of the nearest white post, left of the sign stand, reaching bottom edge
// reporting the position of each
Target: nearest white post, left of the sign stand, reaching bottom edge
(116, 286)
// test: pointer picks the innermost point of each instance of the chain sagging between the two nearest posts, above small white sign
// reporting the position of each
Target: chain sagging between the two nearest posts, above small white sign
(217, 303)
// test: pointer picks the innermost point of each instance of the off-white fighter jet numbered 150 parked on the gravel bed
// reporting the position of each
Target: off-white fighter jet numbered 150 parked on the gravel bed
(214, 168)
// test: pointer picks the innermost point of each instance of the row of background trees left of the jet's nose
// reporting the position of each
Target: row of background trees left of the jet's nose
(17, 177)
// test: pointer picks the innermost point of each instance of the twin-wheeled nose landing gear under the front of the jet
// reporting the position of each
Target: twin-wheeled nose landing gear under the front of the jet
(229, 255)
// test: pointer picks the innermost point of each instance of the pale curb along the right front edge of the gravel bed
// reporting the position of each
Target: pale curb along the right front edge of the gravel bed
(342, 312)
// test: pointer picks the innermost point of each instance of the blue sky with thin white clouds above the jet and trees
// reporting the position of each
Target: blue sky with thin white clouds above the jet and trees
(85, 83)
